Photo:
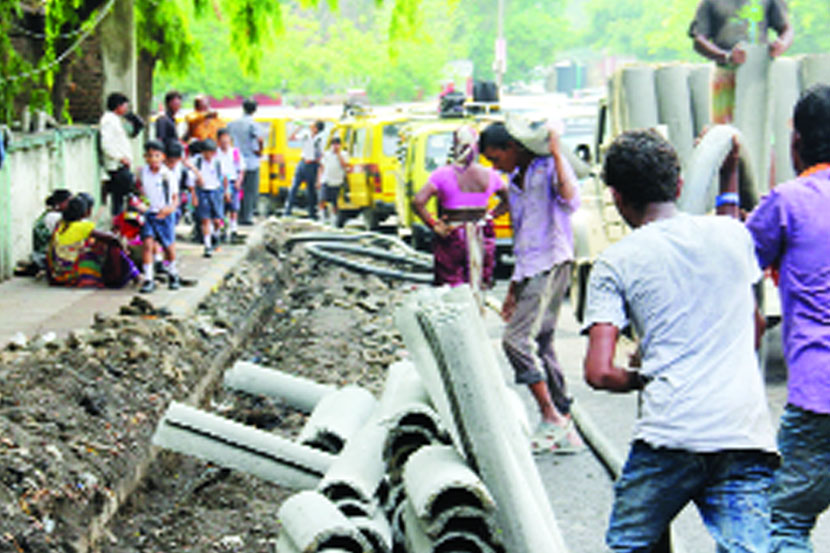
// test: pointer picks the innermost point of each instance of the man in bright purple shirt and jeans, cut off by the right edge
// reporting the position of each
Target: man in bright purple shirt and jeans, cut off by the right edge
(791, 230)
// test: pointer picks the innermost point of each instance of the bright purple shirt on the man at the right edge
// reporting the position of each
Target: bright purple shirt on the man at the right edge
(791, 229)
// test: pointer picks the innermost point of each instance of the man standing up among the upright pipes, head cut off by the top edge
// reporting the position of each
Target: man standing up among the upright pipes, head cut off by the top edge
(719, 29)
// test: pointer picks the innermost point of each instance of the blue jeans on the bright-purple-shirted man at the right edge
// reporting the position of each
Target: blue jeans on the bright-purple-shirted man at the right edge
(802, 485)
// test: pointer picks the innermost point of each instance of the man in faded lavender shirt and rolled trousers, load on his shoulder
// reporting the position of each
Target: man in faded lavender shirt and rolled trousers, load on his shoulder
(543, 194)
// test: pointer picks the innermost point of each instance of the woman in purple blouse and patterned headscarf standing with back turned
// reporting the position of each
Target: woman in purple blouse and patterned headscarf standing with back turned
(464, 246)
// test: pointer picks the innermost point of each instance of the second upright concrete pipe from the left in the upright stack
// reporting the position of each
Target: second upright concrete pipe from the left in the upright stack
(674, 105)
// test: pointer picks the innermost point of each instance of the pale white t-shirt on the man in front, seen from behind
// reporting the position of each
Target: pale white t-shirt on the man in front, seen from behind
(685, 285)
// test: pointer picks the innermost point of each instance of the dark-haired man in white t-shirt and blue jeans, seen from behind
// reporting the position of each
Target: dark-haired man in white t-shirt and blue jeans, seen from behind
(684, 283)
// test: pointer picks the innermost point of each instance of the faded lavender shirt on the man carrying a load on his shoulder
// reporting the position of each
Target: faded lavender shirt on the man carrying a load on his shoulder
(541, 218)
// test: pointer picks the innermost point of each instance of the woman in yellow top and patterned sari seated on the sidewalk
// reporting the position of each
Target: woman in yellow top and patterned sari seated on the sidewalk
(83, 257)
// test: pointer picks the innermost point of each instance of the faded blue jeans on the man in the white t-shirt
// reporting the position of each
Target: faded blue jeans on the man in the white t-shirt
(730, 489)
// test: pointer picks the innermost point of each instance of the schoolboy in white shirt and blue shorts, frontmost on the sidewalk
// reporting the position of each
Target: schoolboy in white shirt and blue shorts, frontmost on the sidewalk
(161, 192)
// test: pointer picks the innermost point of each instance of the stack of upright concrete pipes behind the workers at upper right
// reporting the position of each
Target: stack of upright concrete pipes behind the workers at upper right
(677, 99)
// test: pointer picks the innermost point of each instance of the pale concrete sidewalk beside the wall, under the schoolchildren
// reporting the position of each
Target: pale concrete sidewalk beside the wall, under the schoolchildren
(32, 307)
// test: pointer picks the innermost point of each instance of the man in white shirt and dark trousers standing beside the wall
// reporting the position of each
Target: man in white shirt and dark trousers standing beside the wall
(117, 151)
